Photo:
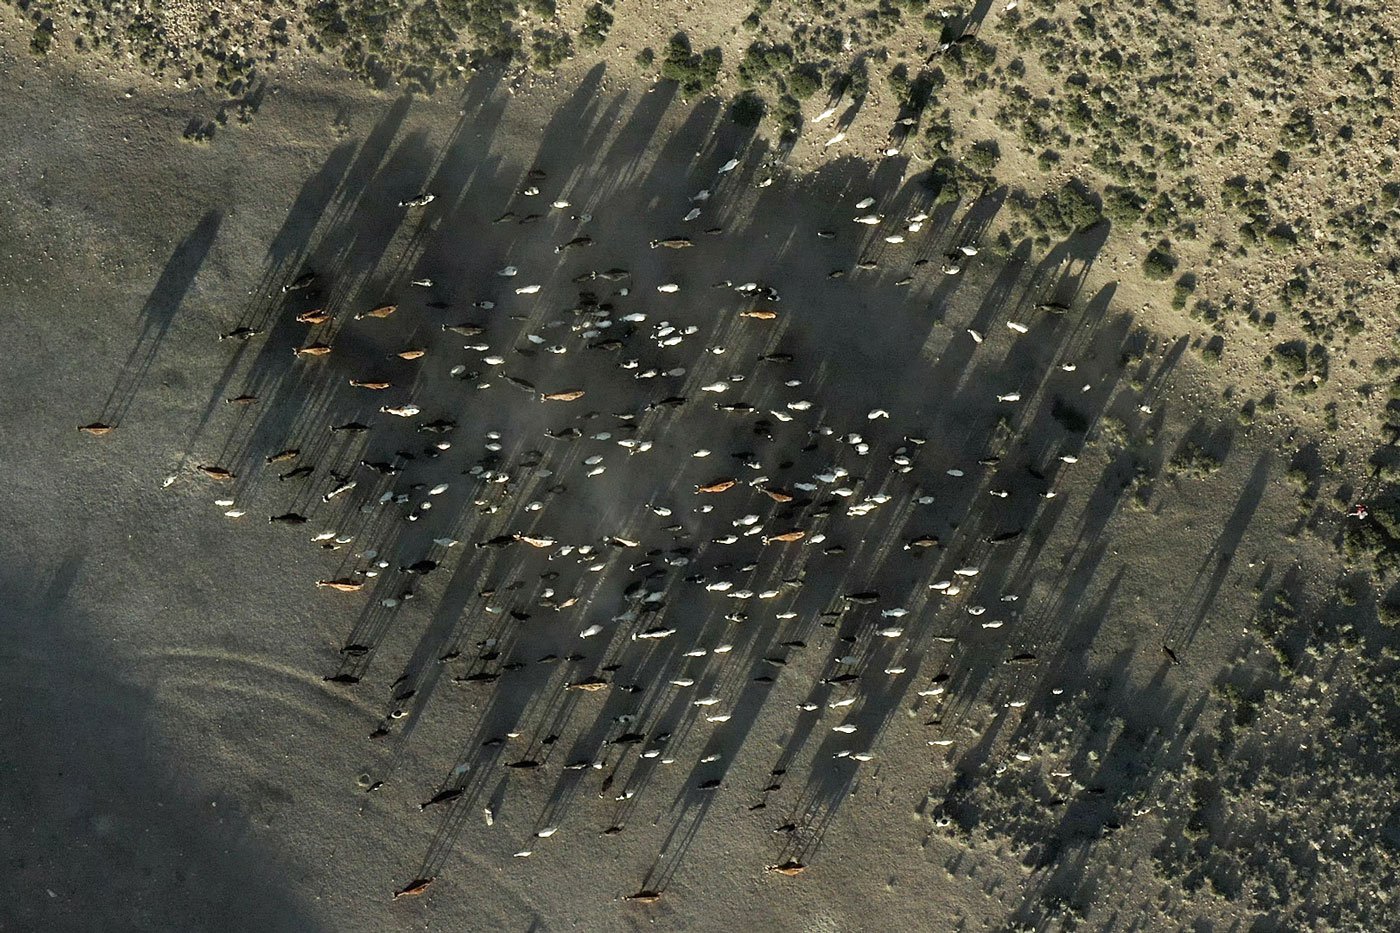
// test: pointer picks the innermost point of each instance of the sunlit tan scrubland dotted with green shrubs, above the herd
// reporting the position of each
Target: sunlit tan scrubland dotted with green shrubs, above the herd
(1244, 155)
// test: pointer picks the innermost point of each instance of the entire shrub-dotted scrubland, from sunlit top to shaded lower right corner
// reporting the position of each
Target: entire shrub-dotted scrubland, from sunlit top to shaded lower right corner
(1237, 162)
